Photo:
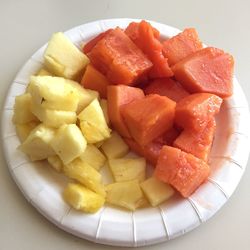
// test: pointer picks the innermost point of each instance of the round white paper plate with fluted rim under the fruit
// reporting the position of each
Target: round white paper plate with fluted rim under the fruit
(42, 187)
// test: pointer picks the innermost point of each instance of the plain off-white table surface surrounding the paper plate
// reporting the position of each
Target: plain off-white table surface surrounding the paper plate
(26, 25)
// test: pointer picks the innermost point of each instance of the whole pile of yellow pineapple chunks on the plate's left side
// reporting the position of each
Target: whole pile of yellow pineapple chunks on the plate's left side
(59, 121)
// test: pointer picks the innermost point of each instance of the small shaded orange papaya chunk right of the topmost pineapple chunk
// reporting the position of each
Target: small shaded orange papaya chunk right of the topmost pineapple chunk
(95, 80)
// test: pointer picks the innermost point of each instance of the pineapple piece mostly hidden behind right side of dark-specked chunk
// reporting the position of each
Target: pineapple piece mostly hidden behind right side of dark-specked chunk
(86, 96)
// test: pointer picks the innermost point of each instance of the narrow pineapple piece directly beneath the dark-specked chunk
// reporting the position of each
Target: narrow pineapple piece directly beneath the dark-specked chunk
(53, 118)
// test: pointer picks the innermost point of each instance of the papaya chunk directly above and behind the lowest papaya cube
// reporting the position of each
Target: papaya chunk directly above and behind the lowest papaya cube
(198, 144)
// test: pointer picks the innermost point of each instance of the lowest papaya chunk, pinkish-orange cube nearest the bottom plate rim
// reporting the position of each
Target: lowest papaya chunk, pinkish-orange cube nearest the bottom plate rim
(183, 171)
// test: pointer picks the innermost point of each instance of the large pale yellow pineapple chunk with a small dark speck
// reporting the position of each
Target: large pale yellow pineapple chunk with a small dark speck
(53, 93)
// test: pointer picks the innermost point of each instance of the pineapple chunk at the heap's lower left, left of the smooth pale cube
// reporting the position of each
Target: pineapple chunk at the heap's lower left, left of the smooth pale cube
(37, 144)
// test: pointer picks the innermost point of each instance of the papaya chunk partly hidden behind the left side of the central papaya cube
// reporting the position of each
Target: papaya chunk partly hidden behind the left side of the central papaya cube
(117, 96)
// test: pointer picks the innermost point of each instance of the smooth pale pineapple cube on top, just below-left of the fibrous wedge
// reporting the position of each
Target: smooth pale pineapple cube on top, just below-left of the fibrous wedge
(68, 143)
